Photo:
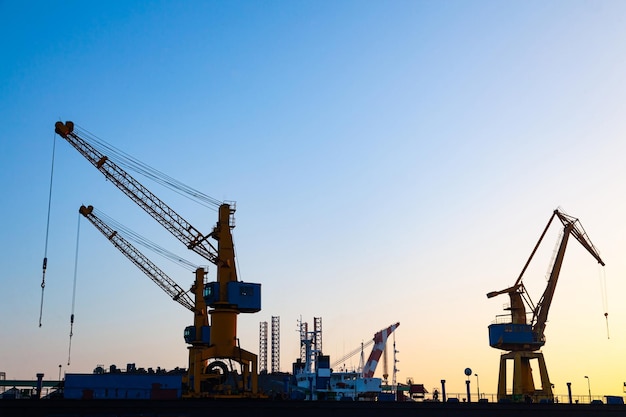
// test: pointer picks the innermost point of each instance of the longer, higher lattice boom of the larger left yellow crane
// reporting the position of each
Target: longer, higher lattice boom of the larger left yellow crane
(161, 212)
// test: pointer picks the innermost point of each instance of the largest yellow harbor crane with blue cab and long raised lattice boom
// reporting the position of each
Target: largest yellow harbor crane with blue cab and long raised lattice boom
(226, 297)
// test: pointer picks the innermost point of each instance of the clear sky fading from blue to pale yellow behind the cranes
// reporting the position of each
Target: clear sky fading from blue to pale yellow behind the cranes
(390, 161)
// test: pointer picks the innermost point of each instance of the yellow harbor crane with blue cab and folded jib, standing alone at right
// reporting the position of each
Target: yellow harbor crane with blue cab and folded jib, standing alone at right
(522, 333)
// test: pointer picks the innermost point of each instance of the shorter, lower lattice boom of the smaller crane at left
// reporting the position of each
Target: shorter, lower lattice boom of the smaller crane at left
(153, 272)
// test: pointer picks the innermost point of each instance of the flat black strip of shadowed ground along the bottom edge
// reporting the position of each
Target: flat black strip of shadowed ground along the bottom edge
(268, 408)
